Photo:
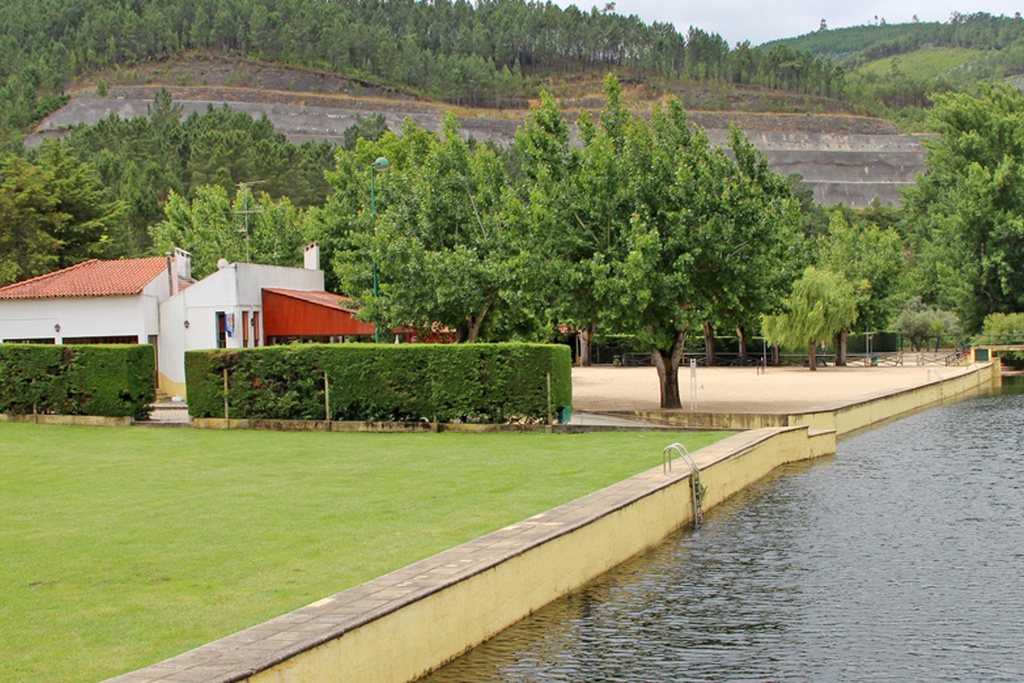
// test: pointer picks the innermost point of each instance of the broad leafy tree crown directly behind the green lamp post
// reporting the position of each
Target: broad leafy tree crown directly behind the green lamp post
(447, 250)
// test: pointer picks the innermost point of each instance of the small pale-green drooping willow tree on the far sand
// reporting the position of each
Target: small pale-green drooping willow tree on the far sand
(822, 305)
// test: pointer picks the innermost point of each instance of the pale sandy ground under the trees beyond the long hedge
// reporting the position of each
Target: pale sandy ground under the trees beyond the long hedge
(743, 390)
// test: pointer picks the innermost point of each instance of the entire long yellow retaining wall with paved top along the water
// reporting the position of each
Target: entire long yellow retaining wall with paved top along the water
(405, 624)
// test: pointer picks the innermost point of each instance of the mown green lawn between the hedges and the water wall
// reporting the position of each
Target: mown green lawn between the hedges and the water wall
(120, 547)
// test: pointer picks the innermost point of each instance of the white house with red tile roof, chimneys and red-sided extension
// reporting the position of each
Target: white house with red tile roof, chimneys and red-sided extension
(156, 302)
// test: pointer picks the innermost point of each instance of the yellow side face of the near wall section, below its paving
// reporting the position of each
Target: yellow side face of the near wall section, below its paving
(429, 632)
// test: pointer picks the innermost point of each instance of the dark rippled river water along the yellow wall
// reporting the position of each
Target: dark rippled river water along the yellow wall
(902, 559)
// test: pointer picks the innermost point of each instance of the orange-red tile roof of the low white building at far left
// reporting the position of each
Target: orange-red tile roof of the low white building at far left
(91, 278)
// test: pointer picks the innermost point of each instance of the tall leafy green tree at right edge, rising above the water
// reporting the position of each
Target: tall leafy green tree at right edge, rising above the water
(966, 217)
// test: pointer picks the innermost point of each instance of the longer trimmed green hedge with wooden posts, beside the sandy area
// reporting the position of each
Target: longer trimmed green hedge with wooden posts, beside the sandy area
(482, 383)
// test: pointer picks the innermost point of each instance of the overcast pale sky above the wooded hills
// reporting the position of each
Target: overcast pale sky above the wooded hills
(758, 22)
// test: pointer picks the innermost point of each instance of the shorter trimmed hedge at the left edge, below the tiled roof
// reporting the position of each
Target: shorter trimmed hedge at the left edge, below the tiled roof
(116, 380)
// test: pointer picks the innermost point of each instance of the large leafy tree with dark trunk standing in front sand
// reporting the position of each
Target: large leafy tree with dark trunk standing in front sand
(697, 235)
